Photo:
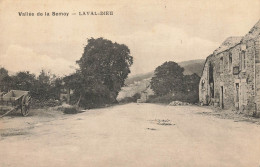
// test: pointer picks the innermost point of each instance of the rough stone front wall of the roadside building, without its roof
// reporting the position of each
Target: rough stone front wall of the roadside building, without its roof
(239, 90)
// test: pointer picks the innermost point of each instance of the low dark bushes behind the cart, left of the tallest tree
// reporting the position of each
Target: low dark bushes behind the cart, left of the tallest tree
(44, 89)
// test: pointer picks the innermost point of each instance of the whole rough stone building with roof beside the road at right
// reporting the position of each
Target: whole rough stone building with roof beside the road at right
(231, 74)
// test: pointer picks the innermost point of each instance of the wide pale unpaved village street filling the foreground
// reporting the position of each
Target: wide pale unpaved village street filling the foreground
(135, 135)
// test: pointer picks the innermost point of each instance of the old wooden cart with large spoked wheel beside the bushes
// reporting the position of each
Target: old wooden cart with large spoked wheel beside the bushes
(15, 100)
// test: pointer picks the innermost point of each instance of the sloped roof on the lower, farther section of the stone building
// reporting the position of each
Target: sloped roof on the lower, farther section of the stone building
(228, 43)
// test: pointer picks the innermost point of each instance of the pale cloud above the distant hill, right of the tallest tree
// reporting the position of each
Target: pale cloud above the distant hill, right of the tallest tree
(162, 43)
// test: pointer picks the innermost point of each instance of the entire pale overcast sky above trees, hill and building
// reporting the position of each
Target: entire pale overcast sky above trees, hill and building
(155, 31)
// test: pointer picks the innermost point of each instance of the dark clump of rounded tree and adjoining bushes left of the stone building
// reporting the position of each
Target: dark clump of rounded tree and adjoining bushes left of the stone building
(169, 84)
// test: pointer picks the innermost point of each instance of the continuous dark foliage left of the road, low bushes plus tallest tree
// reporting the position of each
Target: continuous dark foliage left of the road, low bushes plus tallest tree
(104, 66)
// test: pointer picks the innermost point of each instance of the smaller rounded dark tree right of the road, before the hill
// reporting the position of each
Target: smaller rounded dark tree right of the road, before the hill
(167, 78)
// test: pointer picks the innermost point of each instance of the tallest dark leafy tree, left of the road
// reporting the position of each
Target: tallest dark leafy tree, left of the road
(104, 66)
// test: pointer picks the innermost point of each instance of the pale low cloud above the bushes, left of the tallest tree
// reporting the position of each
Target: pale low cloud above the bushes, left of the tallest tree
(18, 58)
